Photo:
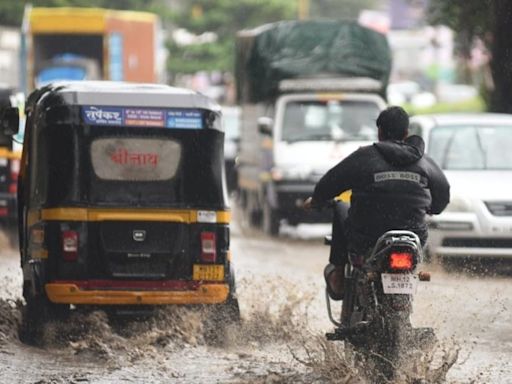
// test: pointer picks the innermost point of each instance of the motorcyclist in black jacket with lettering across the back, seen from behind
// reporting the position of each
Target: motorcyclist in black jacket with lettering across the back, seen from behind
(394, 185)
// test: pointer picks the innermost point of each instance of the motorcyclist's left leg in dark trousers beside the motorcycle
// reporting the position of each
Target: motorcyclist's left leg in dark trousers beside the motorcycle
(335, 271)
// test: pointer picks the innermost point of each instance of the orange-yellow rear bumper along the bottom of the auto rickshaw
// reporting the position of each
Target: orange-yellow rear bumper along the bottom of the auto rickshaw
(69, 293)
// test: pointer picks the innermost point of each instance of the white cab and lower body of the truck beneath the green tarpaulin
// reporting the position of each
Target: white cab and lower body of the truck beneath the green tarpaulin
(301, 136)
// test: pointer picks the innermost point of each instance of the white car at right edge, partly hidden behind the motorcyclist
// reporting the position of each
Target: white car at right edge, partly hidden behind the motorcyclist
(475, 152)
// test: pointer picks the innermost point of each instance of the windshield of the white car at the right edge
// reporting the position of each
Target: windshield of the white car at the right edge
(466, 147)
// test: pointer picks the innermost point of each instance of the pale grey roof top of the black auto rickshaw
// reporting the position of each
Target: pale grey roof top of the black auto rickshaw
(111, 93)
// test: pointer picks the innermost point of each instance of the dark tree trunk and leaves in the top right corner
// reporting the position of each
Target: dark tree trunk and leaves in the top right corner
(491, 22)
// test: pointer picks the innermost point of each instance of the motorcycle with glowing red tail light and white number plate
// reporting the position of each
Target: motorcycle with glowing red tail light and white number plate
(377, 304)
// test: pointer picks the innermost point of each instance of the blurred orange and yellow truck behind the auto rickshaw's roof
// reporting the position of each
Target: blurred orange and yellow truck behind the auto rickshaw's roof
(71, 43)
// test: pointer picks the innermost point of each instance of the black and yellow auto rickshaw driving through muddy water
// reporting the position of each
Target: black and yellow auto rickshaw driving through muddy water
(122, 201)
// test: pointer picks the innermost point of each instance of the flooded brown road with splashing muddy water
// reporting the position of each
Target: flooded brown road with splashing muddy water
(280, 339)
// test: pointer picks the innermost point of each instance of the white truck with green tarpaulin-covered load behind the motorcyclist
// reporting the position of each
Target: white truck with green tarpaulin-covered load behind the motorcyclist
(310, 93)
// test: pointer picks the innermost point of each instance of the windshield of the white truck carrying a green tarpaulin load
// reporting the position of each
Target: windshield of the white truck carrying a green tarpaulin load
(330, 120)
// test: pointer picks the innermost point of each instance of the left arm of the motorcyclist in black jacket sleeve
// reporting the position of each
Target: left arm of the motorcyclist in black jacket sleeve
(341, 178)
